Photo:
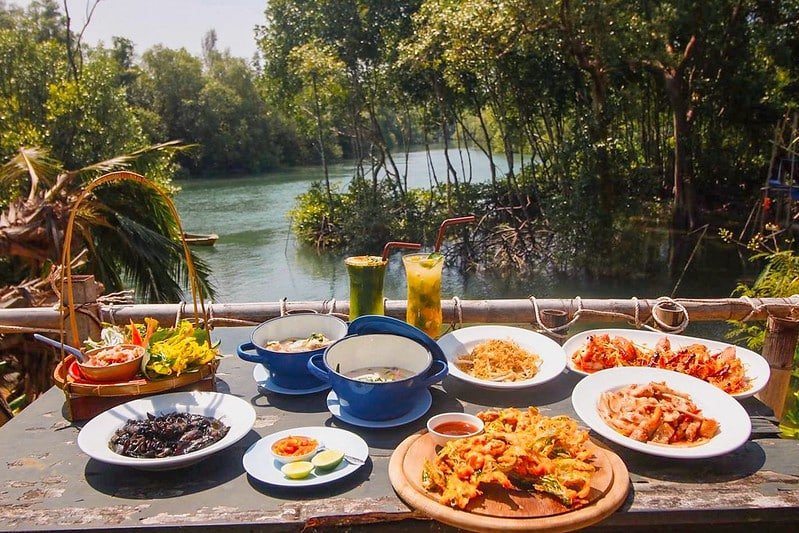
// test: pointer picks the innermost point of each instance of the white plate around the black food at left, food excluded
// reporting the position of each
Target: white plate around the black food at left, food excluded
(232, 411)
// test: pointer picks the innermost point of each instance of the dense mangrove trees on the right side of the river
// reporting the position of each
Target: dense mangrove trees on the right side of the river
(617, 105)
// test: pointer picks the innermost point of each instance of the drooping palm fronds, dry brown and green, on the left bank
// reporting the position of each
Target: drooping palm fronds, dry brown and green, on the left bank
(126, 226)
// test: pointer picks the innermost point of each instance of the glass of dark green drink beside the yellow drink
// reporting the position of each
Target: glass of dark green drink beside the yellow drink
(366, 274)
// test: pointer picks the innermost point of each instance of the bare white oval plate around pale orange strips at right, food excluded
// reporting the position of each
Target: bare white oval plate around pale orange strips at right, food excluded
(735, 425)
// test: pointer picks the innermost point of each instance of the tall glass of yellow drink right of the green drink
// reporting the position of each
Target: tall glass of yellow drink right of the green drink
(424, 291)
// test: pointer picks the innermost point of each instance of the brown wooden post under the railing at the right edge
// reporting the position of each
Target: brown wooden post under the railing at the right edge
(778, 350)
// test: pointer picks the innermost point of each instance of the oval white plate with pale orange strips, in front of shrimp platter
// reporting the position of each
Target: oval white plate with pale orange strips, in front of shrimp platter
(661, 412)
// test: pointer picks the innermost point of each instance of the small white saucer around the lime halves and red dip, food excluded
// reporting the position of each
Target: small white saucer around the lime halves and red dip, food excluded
(260, 464)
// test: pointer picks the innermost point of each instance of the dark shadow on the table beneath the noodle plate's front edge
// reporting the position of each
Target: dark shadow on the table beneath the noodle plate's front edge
(547, 393)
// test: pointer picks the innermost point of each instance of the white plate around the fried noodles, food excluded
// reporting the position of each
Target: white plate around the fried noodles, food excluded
(462, 341)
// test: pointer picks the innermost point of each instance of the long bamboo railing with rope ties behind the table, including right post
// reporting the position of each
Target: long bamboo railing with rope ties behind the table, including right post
(550, 315)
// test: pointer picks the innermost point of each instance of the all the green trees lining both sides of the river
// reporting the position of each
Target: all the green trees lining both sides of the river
(618, 108)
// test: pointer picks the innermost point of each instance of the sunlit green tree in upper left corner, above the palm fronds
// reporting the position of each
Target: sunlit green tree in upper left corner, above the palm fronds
(42, 104)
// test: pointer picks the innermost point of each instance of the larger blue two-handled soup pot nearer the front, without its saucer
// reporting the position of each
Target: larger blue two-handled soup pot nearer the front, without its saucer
(377, 376)
